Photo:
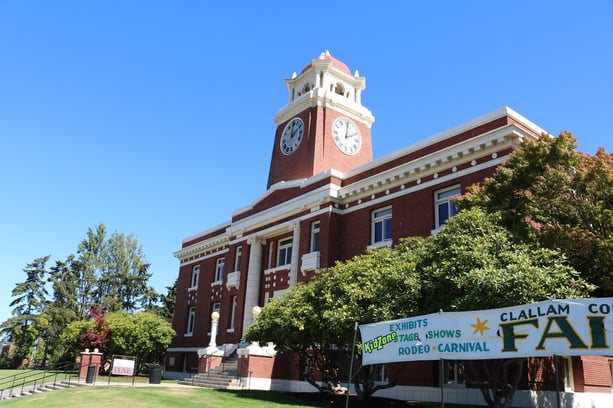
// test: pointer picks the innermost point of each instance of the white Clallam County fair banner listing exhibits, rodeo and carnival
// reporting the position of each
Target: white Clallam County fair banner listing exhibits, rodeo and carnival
(558, 327)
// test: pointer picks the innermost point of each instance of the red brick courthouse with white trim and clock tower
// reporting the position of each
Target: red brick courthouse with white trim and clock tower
(326, 200)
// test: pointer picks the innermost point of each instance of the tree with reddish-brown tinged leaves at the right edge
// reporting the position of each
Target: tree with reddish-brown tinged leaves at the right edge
(550, 195)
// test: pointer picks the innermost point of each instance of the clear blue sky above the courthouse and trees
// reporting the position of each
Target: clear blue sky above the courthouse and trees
(155, 117)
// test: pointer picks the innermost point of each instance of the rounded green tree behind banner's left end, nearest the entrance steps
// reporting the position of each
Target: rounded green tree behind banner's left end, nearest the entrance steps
(317, 319)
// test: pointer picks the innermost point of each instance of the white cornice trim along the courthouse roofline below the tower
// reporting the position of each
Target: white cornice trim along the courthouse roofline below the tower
(491, 142)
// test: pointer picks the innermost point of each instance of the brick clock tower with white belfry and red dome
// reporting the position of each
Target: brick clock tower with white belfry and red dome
(324, 125)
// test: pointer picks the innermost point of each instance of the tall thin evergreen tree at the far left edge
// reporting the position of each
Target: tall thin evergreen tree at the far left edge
(30, 299)
